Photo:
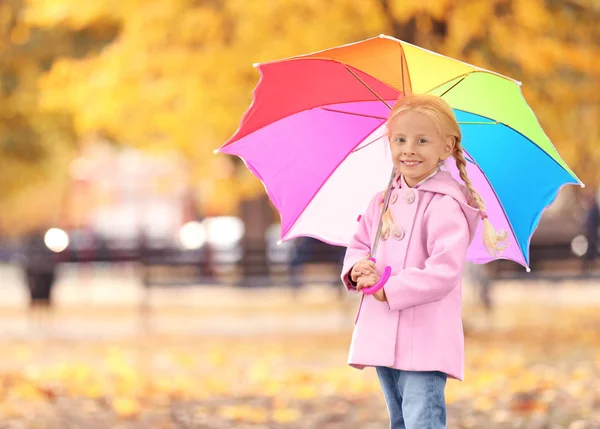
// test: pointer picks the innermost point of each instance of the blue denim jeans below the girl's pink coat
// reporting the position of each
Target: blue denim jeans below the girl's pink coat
(415, 399)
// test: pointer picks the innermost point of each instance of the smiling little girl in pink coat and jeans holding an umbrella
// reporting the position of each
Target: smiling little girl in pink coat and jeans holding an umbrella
(411, 329)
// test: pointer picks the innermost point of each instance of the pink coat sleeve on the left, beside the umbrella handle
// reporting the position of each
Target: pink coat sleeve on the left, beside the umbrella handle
(360, 244)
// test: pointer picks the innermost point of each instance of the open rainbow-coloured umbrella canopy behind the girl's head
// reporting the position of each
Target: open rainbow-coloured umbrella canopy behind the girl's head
(315, 136)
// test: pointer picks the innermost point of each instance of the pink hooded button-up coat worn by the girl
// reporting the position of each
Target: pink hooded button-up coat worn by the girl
(419, 328)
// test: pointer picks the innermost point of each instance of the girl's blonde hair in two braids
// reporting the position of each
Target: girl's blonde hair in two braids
(440, 112)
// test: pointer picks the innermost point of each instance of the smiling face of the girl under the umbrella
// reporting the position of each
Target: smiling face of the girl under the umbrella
(417, 146)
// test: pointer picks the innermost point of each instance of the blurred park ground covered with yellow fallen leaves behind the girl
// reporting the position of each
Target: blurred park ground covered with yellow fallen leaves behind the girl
(222, 358)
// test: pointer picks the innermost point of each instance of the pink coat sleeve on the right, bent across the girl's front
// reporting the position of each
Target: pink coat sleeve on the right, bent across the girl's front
(447, 243)
